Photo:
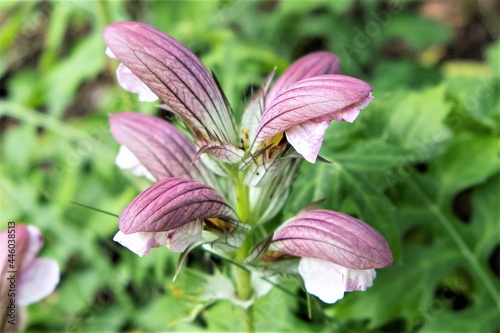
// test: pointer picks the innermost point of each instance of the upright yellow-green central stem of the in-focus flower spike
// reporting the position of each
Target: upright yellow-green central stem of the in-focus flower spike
(244, 277)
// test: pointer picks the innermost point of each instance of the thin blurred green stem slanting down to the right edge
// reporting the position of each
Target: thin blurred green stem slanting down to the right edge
(457, 238)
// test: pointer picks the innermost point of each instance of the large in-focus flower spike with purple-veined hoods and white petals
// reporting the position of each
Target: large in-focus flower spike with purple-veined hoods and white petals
(218, 185)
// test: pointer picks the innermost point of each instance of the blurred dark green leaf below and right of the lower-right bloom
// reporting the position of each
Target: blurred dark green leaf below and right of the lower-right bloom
(403, 291)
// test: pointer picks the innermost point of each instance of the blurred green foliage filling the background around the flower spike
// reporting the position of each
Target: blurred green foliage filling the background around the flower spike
(421, 163)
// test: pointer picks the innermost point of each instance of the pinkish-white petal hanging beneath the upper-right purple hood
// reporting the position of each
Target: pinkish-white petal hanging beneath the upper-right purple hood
(307, 137)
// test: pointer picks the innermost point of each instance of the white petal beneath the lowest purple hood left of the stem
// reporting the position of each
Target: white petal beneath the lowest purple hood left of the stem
(141, 242)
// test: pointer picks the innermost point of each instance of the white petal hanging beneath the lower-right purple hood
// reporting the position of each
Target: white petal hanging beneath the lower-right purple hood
(323, 279)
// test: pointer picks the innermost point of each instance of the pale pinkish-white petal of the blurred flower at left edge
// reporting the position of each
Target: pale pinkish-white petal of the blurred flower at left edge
(37, 280)
